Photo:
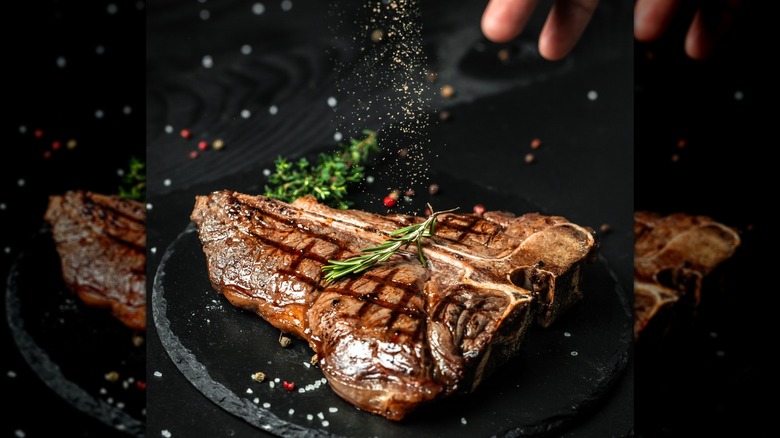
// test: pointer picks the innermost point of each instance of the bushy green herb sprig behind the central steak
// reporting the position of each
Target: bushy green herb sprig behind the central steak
(328, 179)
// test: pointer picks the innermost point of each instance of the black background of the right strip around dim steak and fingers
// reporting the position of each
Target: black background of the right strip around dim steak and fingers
(705, 374)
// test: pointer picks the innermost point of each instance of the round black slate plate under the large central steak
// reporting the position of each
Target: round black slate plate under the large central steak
(562, 373)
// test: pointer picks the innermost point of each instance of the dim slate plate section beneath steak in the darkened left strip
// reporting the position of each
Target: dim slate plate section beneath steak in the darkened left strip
(71, 346)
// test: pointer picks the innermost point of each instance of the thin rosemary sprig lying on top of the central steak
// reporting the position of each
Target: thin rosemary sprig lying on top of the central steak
(402, 237)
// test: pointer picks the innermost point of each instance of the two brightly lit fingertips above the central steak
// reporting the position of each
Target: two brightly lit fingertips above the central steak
(503, 20)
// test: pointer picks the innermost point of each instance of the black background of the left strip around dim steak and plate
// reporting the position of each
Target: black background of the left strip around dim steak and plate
(62, 102)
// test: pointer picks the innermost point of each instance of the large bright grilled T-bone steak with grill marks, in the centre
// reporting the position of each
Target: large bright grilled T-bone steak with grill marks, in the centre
(398, 335)
